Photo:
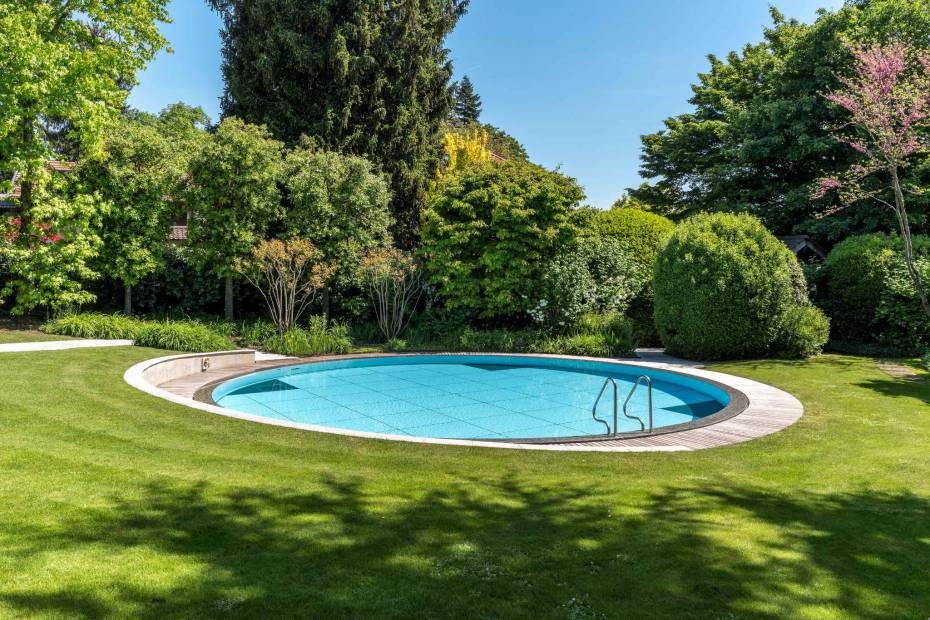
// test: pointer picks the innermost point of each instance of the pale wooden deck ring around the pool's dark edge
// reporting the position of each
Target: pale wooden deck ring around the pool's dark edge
(769, 410)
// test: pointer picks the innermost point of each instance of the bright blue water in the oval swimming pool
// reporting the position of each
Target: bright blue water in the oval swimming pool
(464, 397)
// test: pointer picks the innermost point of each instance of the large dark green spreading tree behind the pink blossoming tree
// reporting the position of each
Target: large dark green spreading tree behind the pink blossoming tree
(758, 136)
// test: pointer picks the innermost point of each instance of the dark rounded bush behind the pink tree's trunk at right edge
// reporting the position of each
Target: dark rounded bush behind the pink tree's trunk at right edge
(870, 297)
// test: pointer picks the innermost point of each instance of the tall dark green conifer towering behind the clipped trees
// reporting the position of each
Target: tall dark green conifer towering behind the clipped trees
(366, 78)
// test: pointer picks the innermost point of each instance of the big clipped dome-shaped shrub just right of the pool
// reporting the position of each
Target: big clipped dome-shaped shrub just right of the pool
(725, 287)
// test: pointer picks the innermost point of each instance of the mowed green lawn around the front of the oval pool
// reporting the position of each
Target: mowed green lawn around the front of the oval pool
(117, 504)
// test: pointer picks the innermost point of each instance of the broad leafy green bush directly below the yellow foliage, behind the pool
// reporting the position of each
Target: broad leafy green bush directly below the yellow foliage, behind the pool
(489, 231)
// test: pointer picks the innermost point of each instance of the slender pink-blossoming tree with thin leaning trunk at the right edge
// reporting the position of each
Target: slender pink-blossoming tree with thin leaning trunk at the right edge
(888, 101)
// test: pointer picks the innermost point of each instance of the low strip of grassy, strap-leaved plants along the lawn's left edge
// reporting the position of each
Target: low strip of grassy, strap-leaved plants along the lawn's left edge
(187, 336)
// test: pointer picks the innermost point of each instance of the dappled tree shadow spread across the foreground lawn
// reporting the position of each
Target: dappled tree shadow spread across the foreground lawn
(491, 549)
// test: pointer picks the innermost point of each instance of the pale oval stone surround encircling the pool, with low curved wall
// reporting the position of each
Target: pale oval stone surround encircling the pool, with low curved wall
(757, 409)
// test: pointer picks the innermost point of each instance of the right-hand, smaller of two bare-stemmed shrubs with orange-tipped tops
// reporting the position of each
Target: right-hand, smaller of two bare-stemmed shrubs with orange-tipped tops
(393, 281)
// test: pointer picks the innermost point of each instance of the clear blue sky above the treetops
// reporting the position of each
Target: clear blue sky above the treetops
(576, 82)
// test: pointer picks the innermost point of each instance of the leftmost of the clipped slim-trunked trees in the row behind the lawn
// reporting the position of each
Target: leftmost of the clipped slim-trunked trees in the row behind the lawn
(141, 175)
